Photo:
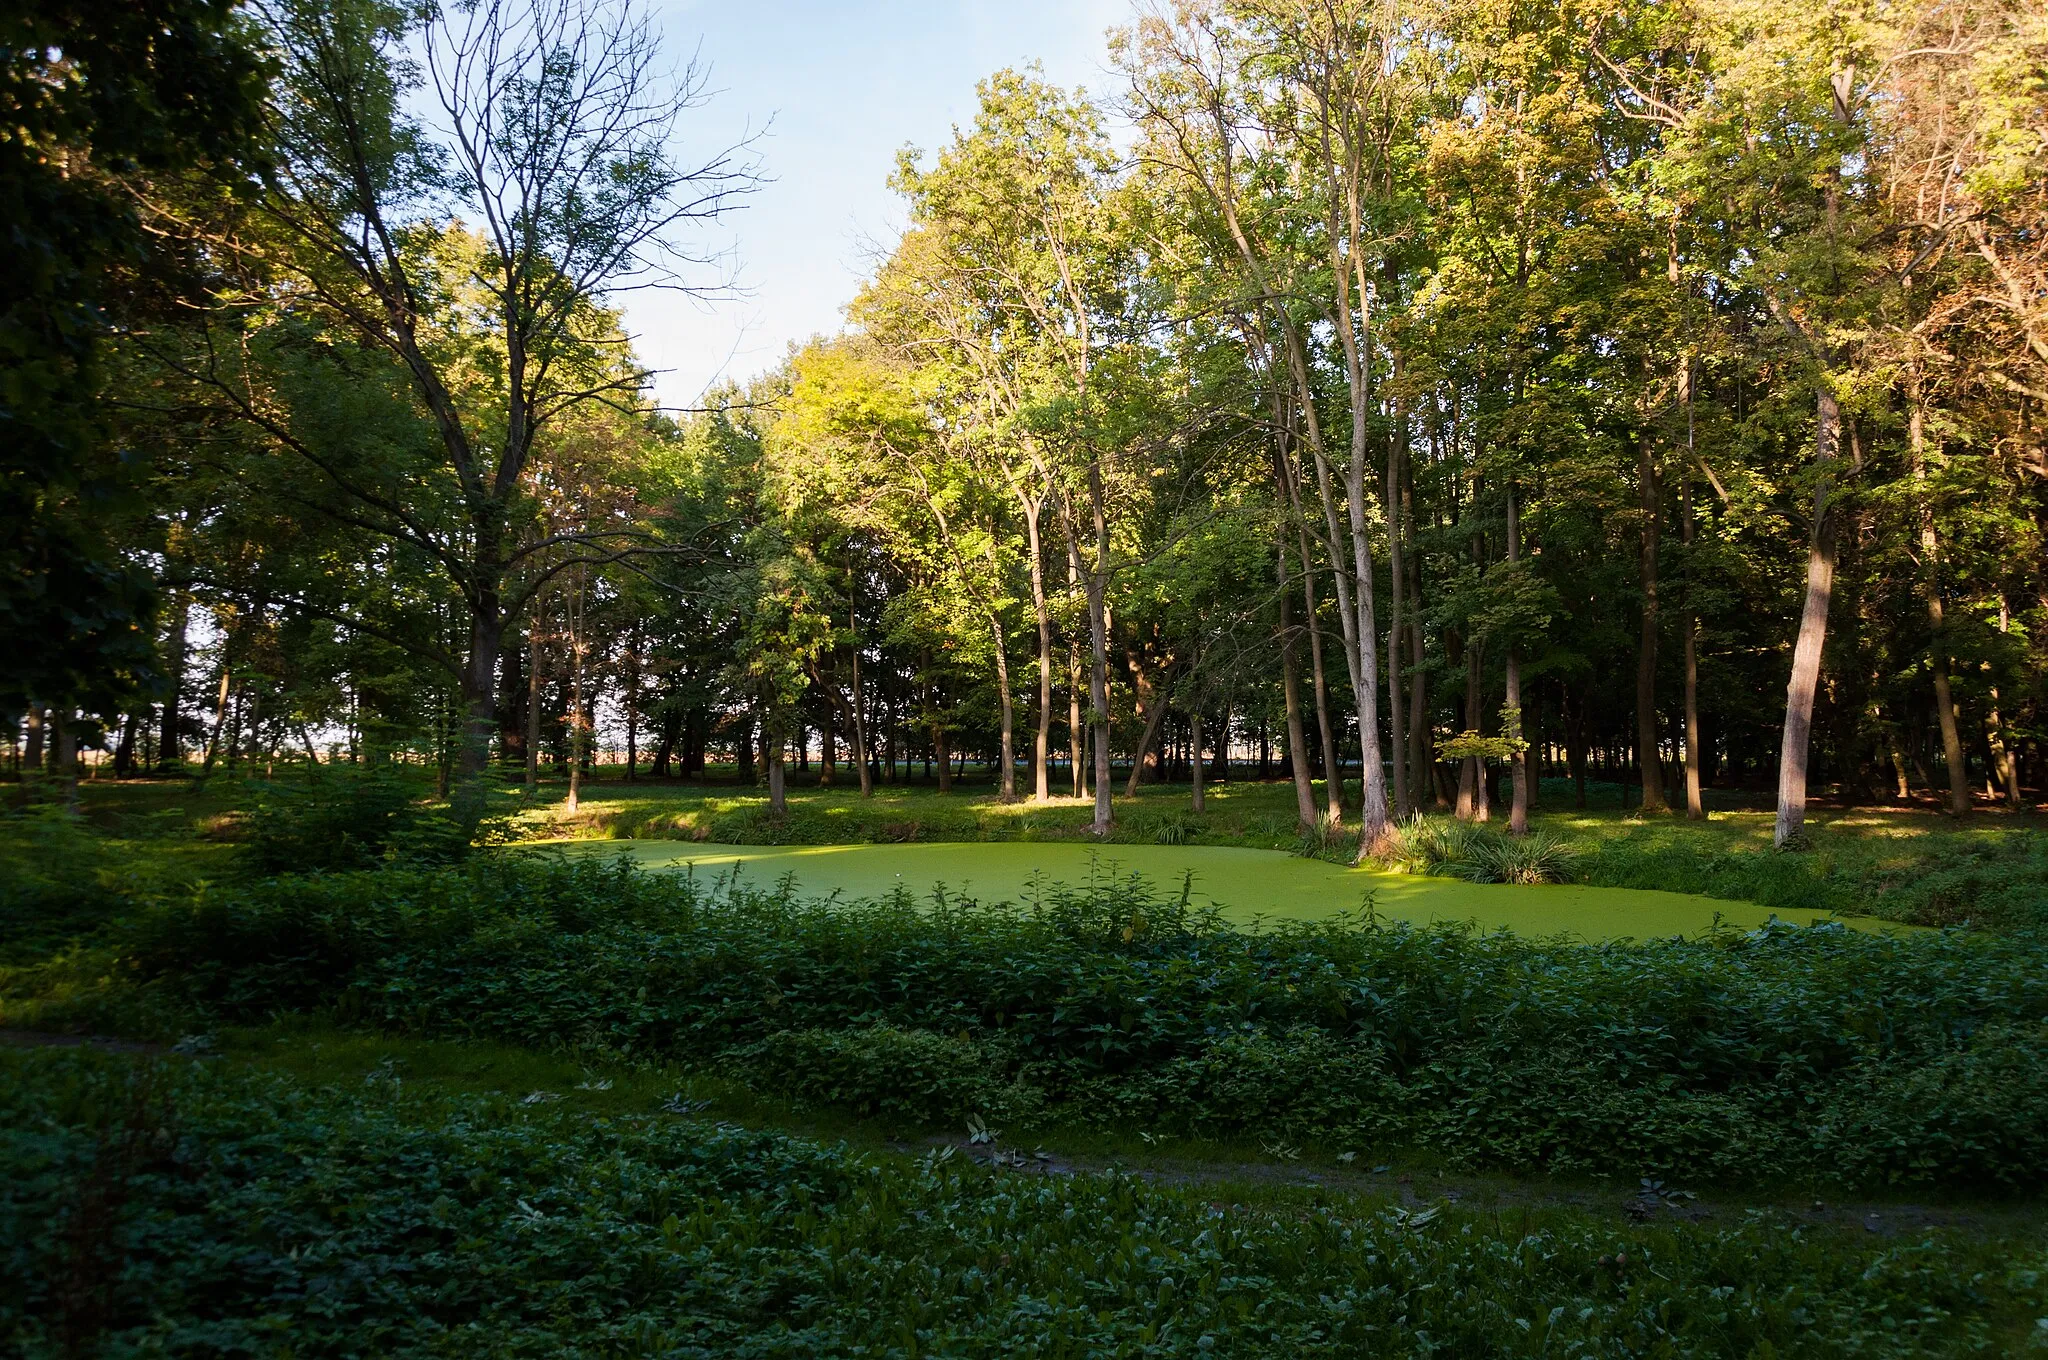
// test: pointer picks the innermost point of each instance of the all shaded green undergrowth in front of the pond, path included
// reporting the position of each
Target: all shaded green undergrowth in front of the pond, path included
(435, 1101)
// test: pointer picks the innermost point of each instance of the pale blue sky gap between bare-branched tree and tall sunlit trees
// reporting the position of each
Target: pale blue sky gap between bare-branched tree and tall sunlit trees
(845, 87)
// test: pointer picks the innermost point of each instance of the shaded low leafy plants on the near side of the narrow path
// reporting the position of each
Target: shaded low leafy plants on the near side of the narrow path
(179, 1212)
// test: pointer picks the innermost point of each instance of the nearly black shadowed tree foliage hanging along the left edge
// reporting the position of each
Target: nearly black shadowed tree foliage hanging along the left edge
(97, 99)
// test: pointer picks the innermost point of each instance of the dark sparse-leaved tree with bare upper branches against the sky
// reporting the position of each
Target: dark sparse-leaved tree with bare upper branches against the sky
(554, 136)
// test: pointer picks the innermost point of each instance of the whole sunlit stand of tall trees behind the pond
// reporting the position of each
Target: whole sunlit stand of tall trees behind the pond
(1445, 398)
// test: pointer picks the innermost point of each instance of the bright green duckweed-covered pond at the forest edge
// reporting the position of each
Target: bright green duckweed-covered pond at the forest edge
(1246, 886)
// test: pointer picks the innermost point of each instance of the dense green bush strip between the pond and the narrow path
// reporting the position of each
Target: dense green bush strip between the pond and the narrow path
(1785, 1054)
